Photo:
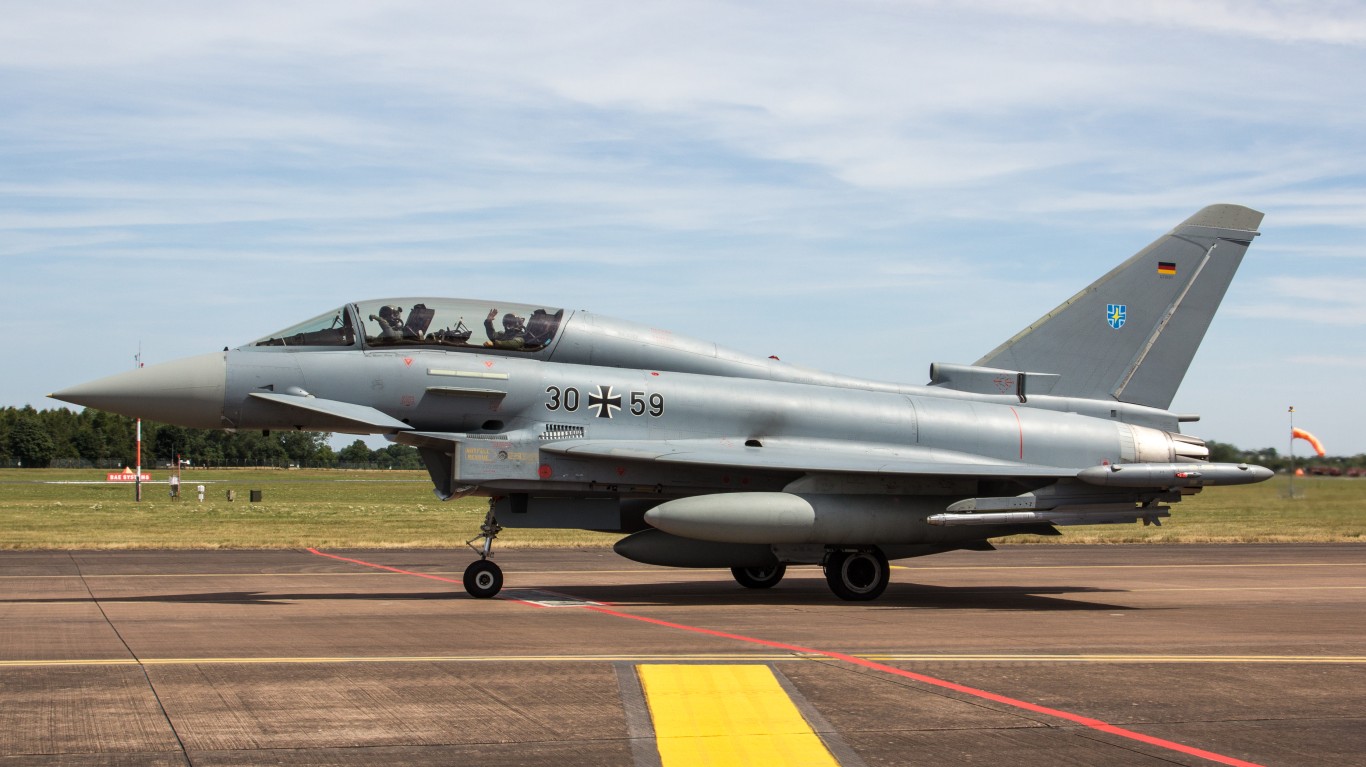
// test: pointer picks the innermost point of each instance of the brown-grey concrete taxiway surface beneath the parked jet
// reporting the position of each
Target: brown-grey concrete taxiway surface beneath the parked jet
(1113, 656)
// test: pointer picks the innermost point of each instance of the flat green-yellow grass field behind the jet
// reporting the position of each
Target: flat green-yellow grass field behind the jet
(77, 509)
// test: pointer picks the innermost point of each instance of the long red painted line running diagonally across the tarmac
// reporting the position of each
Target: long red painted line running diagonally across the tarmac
(1024, 705)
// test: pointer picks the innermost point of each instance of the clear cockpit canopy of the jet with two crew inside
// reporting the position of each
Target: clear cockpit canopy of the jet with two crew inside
(426, 322)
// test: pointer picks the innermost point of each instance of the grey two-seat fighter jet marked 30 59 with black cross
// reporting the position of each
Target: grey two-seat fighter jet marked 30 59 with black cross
(710, 457)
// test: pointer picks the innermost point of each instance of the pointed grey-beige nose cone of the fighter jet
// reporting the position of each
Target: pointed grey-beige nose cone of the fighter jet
(188, 393)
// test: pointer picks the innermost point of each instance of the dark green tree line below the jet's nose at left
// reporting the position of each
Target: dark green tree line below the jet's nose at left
(92, 438)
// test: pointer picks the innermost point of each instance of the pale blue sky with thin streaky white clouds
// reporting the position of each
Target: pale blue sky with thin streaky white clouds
(859, 187)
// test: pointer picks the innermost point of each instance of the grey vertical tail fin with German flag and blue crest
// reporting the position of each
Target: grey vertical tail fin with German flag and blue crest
(1132, 334)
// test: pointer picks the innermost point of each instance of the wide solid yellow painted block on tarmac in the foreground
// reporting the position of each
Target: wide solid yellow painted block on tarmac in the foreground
(712, 716)
